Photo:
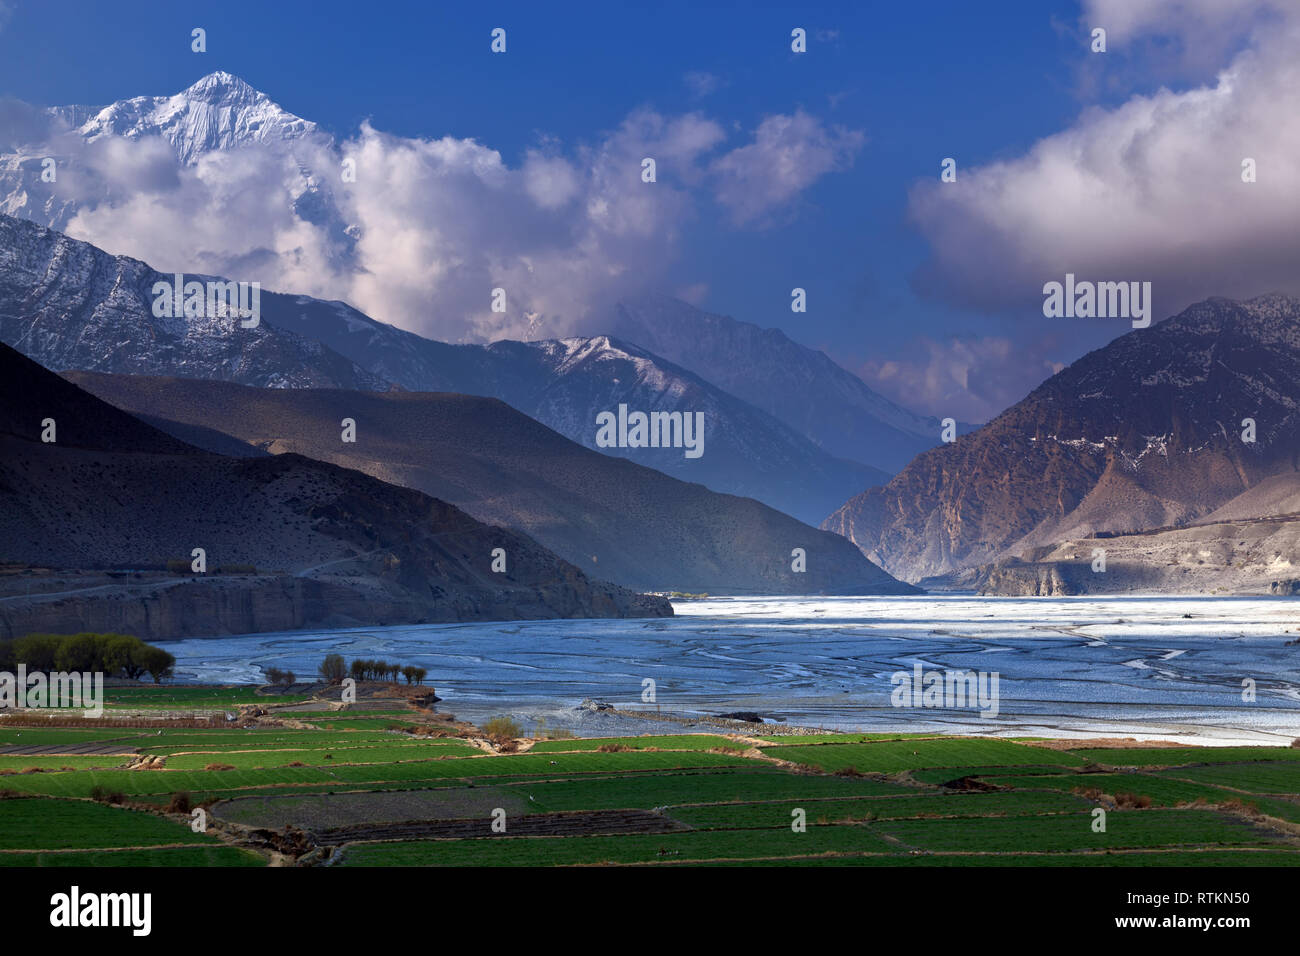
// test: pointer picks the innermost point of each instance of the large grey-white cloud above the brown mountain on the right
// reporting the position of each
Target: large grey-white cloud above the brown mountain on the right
(1150, 191)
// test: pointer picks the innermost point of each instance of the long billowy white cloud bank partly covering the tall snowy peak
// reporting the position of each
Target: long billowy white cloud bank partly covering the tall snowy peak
(431, 227)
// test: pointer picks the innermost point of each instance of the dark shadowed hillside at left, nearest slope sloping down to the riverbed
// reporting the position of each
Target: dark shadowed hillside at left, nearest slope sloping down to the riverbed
(103, 504)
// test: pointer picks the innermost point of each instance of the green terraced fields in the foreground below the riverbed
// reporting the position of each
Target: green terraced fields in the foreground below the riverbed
(356, 790)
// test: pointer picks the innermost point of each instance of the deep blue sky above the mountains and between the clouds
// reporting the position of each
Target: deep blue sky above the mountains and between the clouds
(916, 83)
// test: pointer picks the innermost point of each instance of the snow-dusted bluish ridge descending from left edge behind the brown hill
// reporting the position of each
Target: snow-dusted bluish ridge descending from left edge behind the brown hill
(70, 305)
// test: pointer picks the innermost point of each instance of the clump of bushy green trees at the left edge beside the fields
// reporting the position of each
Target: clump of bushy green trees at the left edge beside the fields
(112, 655)
